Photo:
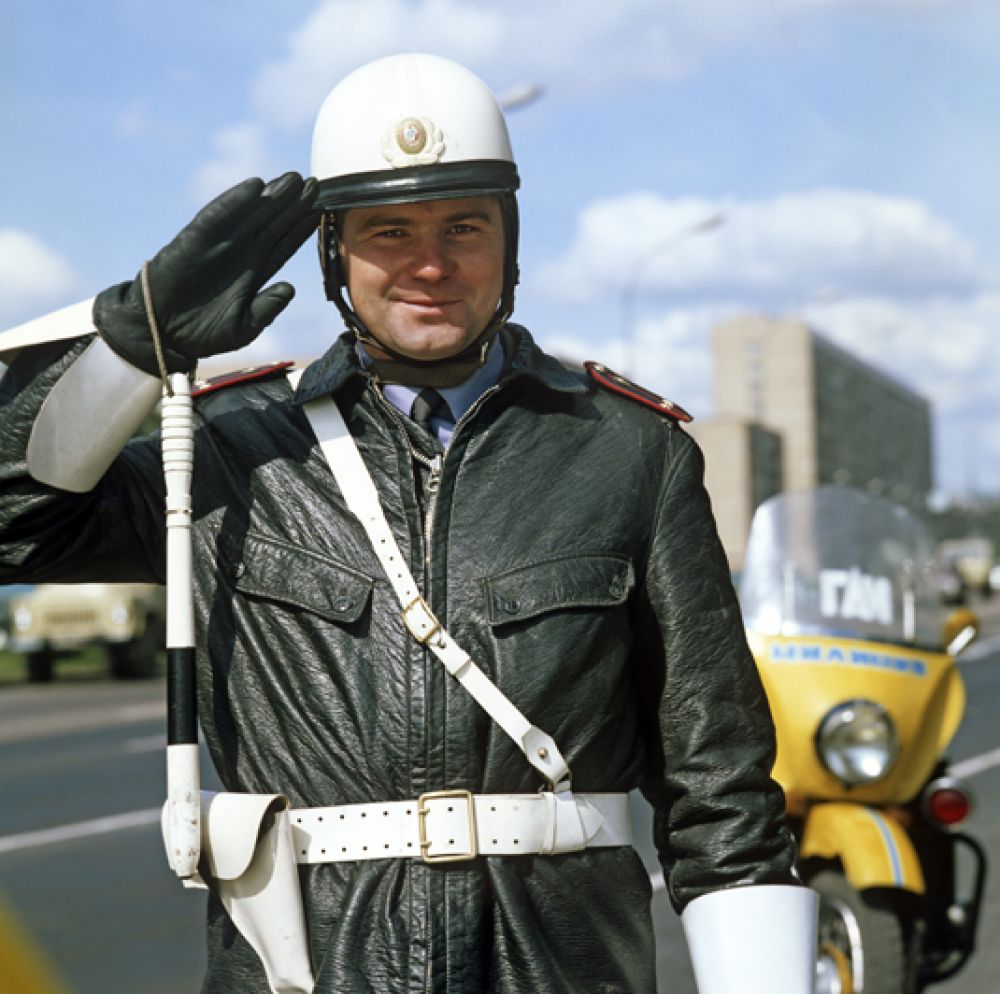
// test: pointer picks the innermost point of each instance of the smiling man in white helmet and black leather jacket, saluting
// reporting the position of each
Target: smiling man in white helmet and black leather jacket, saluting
(554, 522)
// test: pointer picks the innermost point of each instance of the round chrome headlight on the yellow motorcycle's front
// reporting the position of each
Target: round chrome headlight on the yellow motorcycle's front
(857, 742)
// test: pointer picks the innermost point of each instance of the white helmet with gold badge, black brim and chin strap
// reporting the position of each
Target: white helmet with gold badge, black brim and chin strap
(410, 128)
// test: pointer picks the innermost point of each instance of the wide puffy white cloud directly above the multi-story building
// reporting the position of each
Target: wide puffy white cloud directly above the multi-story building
(782, 250)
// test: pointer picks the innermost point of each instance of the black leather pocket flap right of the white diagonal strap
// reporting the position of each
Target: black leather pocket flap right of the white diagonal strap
(599, 580)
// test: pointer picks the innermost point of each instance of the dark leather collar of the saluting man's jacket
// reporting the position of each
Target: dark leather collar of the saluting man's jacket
(340, 364)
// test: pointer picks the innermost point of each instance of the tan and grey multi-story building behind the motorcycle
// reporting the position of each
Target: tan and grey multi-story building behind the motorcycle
(793, 411)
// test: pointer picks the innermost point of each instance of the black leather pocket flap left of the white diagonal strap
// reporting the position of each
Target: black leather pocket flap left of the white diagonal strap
(296, 576)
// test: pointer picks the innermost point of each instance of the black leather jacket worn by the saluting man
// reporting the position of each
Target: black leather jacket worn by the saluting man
(570, 549)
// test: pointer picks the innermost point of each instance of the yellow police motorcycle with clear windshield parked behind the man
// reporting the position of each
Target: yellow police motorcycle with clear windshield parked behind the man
(857, 653)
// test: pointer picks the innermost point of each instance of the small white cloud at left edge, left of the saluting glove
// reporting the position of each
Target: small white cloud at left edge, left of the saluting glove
(32, 277)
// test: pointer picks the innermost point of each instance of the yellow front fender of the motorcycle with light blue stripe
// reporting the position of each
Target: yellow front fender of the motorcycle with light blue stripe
(874, 850)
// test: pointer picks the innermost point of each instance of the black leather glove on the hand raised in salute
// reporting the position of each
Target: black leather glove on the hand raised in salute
(206, 284)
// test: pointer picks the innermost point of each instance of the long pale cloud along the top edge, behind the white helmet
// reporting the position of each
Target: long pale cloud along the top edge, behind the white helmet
(577, 47)
